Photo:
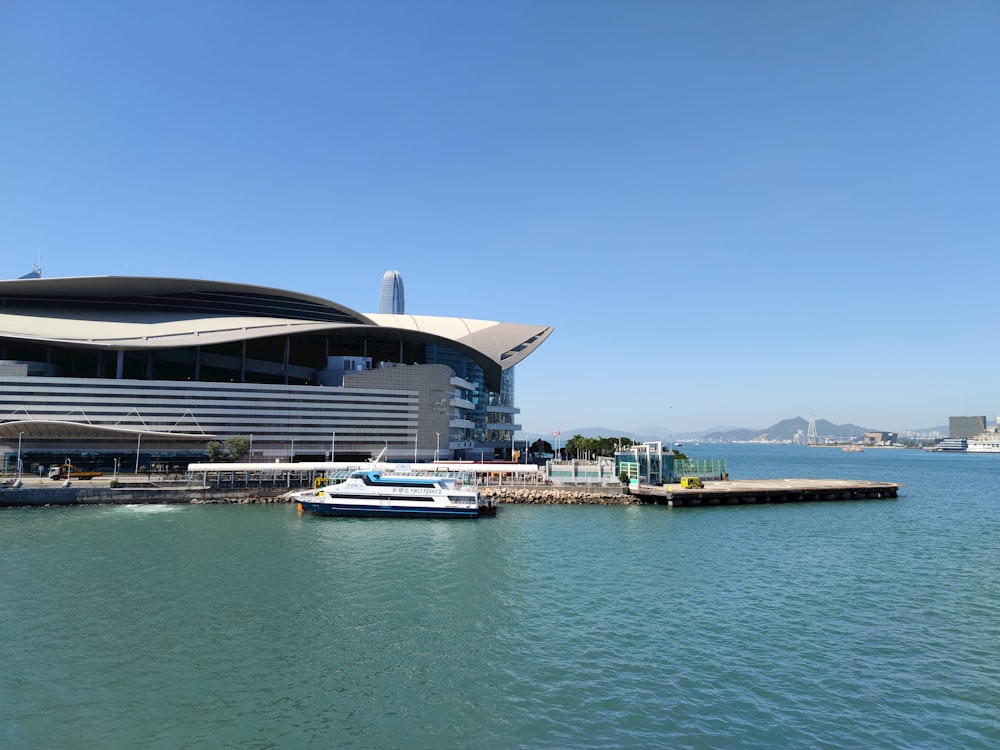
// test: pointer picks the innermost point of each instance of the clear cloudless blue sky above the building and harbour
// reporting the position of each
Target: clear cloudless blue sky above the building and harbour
(730, 212)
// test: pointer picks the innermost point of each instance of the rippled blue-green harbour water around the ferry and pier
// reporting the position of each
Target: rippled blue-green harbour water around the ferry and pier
(827, 625)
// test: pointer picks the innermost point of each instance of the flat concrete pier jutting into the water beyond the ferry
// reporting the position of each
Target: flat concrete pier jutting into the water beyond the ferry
(753, 491)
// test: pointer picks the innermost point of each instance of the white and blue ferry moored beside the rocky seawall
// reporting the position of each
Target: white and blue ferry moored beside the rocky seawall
(368, 493)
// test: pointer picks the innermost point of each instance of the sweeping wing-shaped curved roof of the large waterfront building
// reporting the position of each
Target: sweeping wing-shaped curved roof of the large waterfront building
(165, 312)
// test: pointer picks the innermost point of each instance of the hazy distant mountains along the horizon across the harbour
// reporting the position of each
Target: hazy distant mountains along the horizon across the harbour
(786, 429)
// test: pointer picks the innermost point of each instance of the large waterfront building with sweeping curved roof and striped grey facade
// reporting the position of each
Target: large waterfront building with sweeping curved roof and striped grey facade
(110, 371)
